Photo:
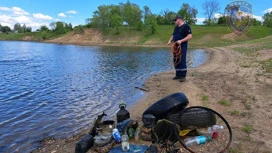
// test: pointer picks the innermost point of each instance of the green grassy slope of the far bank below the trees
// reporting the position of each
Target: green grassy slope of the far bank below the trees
(203, 36)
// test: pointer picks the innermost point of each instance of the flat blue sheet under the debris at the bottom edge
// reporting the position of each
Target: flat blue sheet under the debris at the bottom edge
(132, 149)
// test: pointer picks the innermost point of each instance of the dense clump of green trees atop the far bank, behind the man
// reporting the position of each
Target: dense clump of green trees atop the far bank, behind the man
(131, 15)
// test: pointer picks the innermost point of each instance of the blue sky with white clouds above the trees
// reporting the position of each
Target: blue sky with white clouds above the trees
(35, 13)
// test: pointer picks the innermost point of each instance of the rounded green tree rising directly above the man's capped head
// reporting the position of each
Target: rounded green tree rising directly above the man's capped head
(188, 13)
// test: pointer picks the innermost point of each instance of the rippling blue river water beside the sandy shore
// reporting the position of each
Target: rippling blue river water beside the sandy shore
(56, 90)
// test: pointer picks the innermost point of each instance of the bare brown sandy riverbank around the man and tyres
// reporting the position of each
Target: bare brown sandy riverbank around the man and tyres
(221, 77)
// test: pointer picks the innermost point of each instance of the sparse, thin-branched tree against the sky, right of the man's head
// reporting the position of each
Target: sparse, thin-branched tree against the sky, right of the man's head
(210, 7)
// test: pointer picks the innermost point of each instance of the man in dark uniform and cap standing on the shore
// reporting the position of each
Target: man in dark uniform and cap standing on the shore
(181, 35)
